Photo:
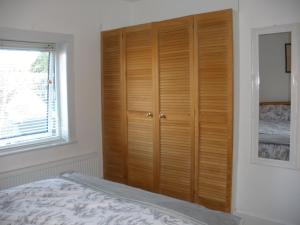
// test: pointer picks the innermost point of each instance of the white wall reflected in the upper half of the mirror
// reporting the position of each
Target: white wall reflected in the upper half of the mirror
(275, 83)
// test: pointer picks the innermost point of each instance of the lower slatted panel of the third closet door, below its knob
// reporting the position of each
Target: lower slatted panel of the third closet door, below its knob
(176, 159)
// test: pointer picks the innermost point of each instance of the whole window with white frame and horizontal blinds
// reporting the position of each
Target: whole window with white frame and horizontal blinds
(35, 91)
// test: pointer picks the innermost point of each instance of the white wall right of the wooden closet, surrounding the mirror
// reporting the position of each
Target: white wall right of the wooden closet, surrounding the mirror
(269, 192)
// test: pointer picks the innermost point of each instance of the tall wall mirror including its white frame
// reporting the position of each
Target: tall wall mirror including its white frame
(274, 95)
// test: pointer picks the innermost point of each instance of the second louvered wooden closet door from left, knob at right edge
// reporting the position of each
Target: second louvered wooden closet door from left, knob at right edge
(138, 67)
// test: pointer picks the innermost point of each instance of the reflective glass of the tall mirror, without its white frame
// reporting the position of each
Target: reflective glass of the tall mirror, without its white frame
(274, 96)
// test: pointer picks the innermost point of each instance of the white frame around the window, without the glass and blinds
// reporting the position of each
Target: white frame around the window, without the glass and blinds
(65, 86)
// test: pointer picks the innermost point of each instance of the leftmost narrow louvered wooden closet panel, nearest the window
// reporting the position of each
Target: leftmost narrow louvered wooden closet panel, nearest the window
(113, 142)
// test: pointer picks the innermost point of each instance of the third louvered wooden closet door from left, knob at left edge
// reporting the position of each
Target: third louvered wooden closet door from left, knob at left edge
(175, 56)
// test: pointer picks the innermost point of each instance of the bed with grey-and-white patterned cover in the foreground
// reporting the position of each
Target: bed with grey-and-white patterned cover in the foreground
(77, 199)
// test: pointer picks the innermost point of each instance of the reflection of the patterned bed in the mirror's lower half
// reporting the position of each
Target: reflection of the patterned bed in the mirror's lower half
(274, 130)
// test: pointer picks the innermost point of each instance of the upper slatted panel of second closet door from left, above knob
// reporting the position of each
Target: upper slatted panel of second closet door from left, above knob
(139, 69)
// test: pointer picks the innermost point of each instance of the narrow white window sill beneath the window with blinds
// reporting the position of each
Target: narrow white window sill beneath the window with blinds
(31, 147)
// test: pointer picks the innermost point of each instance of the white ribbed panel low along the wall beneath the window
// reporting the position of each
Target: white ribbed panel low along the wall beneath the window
(86, 164)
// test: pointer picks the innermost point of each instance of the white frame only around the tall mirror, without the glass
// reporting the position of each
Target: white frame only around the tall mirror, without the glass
(294, 159)
